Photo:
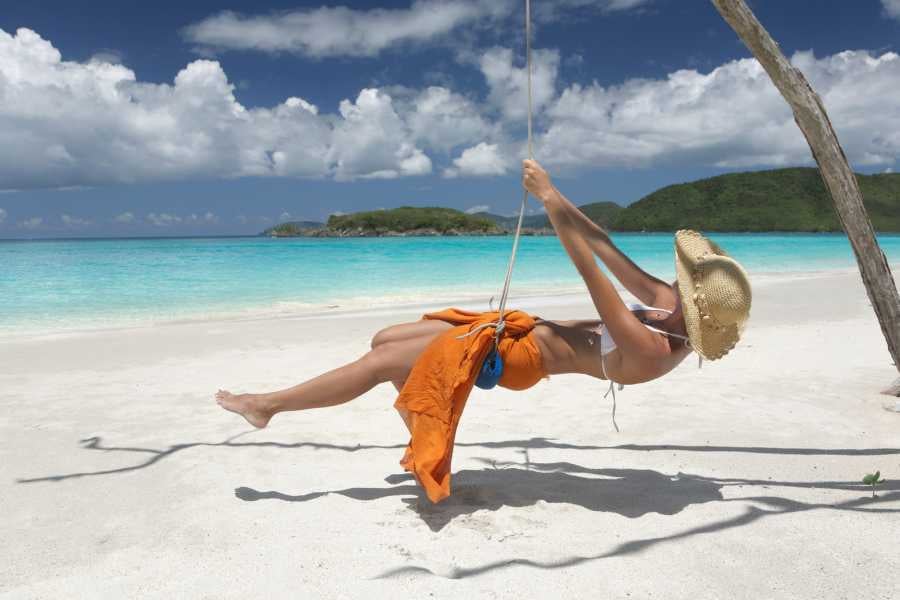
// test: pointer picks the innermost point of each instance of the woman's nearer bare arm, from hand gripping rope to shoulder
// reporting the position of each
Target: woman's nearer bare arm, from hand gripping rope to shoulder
(629, 333)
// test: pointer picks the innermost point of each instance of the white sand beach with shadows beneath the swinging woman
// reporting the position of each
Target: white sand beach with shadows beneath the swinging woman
(120, 477)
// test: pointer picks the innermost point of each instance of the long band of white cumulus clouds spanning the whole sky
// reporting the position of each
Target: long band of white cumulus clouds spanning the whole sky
(70, 125)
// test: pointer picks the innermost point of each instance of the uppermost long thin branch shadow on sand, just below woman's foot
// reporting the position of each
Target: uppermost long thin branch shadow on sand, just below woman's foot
(154, 455)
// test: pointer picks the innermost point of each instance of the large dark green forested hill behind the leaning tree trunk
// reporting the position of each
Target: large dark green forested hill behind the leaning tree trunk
(779, 200)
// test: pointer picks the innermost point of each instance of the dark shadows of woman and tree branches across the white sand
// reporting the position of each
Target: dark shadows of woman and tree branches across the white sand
(628, 492)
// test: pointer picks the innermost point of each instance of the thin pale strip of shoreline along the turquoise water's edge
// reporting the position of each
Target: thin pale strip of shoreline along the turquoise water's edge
(365, 308)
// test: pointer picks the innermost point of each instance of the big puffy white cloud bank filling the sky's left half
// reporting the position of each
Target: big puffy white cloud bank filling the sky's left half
(68, 124)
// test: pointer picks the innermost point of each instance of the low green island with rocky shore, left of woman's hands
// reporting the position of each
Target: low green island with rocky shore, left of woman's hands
(408, 219)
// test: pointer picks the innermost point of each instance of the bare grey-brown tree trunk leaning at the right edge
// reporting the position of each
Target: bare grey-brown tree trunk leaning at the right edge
(810, 115)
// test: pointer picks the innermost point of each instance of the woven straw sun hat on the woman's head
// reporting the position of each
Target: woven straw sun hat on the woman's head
(715, 294)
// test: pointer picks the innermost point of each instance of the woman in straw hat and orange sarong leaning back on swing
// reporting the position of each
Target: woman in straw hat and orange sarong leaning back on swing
(704, 310)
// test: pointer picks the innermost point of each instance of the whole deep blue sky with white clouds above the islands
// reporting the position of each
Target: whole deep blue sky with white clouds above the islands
(223, 118)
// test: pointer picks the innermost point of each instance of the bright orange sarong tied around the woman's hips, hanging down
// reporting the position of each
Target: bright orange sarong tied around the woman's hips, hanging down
(441, 379)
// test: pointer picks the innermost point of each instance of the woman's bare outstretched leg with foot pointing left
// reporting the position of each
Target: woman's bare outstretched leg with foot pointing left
(387, 361)
